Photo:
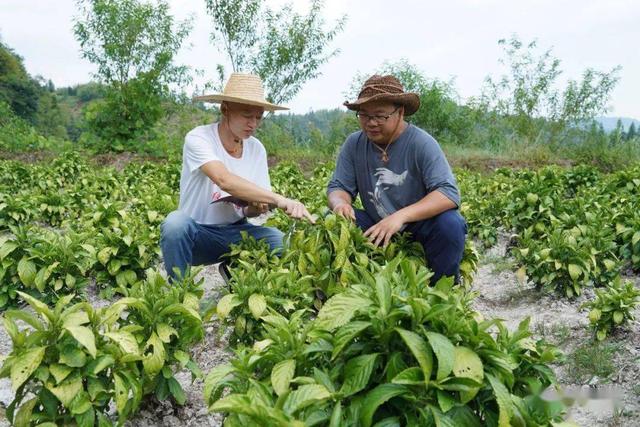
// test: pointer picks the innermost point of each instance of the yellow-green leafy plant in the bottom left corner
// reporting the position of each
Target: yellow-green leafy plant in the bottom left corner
(65, 367)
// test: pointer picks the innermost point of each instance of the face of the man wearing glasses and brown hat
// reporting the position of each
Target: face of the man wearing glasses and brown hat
(379, 120)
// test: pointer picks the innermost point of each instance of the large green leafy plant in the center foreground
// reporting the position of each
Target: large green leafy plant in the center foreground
(386, 350)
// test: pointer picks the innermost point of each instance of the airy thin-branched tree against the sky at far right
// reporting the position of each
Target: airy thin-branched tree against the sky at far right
(529, 98)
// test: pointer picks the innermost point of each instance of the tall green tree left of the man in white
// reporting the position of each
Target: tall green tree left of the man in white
(133, 44)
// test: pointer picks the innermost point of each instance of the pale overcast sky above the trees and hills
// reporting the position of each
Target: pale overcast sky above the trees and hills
(449, 40)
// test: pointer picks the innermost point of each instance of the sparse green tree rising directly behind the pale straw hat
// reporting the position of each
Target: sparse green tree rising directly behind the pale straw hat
(284, 48)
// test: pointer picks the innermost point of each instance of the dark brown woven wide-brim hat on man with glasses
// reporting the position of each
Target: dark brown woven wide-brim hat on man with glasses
(385, 88)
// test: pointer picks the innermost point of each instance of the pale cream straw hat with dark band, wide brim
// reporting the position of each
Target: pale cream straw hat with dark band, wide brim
(242, 89)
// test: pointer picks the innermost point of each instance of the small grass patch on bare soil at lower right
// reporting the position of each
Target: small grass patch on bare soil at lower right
(592, 359)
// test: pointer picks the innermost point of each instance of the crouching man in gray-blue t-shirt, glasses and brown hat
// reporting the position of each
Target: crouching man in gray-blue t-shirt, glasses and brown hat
(402, 176)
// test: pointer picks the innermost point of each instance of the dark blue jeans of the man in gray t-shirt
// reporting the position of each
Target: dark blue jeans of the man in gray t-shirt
(442, 238)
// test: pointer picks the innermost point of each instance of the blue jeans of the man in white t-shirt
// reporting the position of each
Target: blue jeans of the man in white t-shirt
(185, 243)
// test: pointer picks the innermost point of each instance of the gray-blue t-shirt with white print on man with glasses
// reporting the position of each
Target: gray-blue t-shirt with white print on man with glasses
(416, 167)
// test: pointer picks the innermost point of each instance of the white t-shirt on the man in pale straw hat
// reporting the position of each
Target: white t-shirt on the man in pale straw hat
(198, 191)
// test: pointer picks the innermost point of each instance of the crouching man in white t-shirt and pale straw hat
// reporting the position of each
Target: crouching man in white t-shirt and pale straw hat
(224, 180)
